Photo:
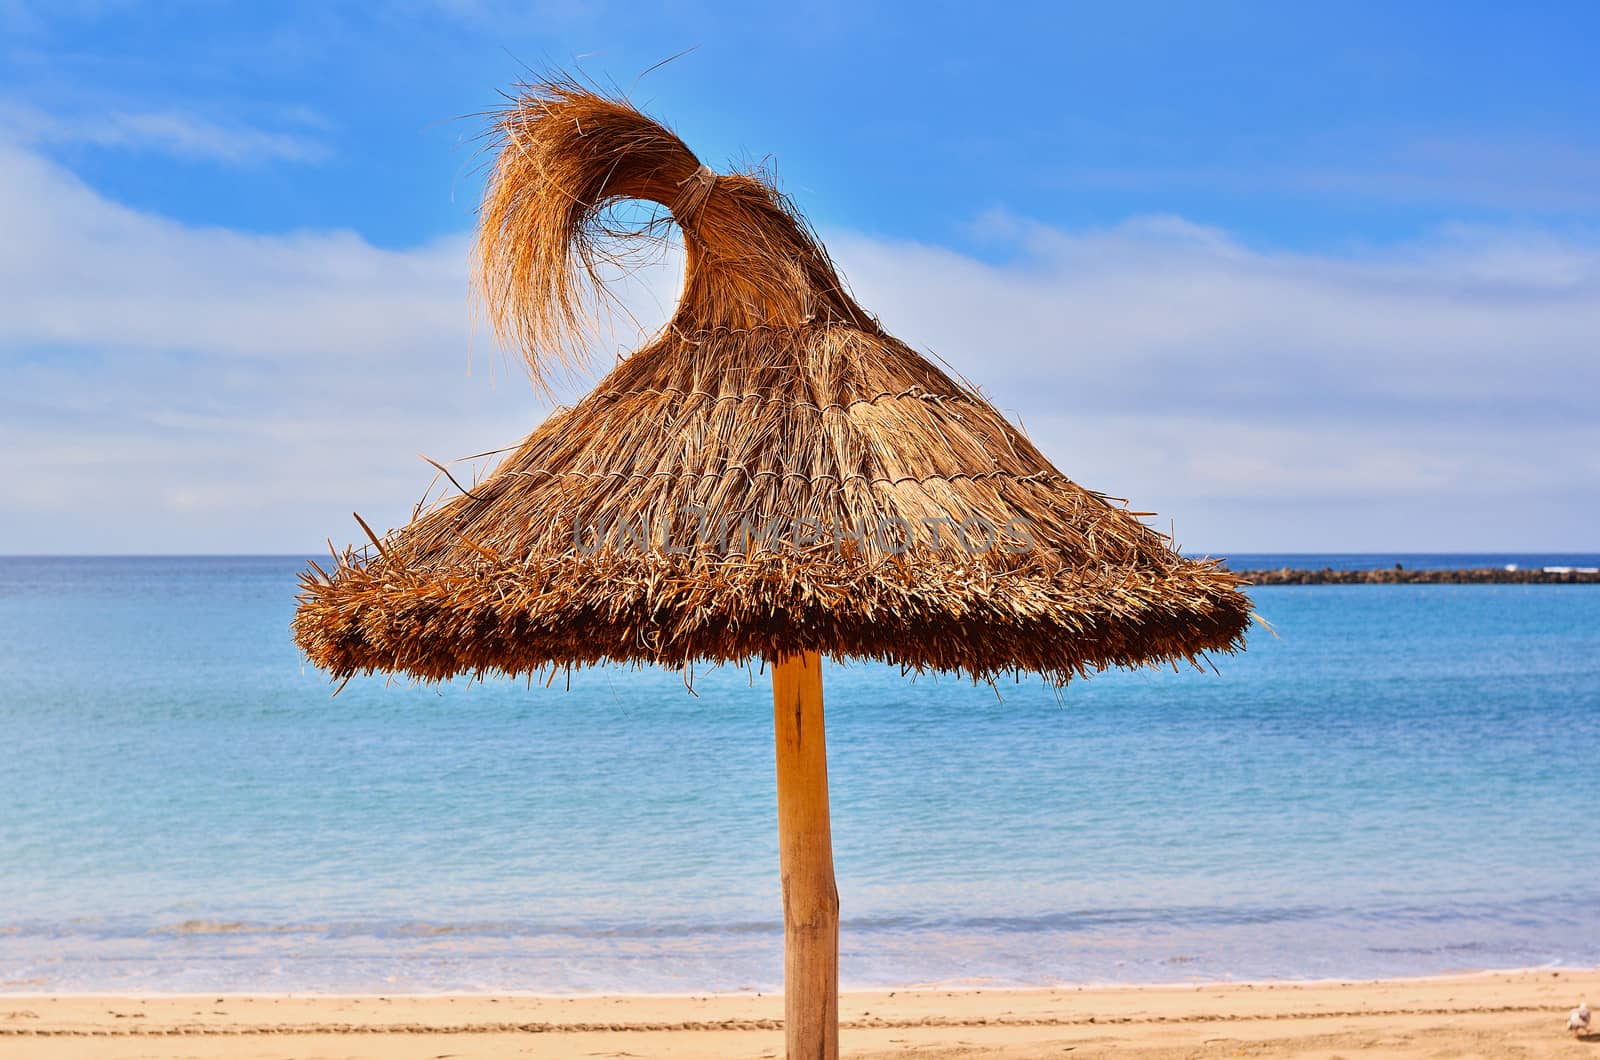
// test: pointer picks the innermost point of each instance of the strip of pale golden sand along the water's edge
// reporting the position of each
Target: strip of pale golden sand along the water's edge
(1518, 1014)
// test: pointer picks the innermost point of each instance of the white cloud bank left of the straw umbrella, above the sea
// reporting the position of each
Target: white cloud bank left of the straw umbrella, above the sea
(174, 388)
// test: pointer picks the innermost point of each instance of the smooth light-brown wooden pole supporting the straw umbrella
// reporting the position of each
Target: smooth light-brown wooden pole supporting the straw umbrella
(806, 843)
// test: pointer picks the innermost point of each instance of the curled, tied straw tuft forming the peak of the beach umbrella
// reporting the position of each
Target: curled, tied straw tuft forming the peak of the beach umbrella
(567, 156)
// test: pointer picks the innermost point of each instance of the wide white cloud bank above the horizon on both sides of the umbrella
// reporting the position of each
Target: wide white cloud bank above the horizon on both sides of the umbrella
(175, 388)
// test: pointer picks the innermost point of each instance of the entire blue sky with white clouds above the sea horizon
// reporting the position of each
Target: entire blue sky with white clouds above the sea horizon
(1297, 279)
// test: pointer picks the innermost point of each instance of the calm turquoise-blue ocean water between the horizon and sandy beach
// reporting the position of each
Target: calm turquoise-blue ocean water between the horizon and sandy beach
(1404, 781)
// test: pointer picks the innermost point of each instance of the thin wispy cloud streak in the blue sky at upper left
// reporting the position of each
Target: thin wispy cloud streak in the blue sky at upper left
(162, 132)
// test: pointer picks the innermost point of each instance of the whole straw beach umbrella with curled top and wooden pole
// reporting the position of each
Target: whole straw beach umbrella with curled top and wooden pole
(772, 478)
